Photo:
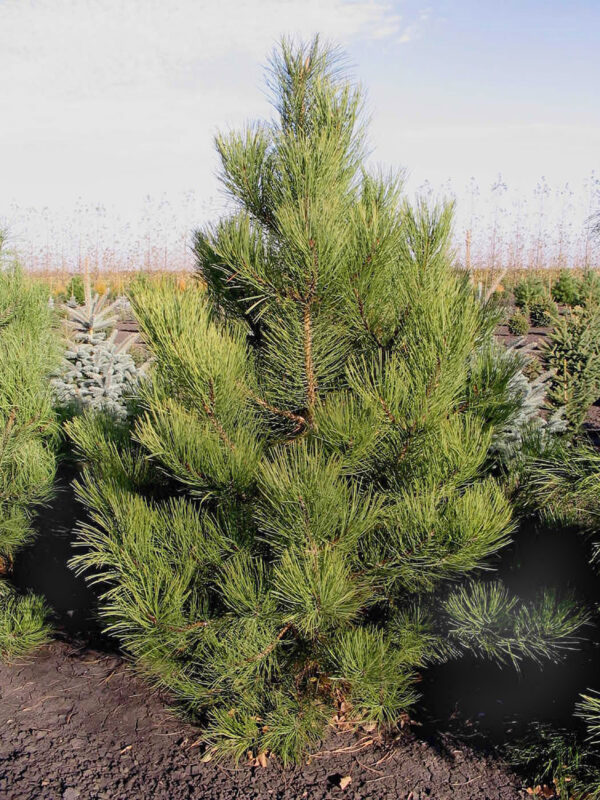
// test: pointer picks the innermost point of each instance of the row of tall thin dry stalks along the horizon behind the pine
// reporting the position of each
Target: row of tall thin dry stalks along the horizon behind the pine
(496, 228)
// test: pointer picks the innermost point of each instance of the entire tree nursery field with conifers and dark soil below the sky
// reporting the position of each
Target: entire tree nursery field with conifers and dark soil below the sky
(318, 518)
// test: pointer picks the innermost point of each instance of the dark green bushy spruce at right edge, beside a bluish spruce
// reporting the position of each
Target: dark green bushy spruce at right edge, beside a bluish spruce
(573, 353)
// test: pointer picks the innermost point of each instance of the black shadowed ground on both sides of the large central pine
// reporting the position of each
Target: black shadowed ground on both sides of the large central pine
(475, 700)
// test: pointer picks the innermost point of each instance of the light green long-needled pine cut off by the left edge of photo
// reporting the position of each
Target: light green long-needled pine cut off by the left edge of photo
(27, 428)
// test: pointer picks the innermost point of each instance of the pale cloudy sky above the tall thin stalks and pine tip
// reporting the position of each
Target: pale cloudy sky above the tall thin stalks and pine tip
(113, 100)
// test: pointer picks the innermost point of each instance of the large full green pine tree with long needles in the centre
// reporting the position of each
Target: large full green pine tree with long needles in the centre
(308, 475)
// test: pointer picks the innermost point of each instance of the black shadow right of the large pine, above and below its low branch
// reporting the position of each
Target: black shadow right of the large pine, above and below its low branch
(485, 704)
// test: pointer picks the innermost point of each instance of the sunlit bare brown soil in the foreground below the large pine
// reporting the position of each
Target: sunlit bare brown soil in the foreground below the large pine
(77, 724)
